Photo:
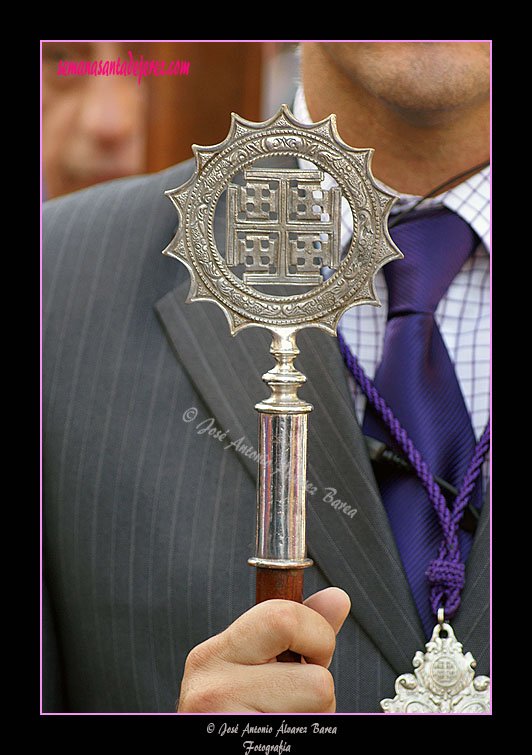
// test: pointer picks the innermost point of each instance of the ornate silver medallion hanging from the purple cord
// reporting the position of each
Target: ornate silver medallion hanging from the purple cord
(443, 681)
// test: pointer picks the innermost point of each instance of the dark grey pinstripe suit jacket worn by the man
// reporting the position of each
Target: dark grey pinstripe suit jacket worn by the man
(148, 520)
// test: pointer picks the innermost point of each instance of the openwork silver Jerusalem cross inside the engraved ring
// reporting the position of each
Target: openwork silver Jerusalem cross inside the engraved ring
(283, 227)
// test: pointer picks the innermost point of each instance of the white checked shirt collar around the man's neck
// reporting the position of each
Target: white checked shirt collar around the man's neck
(469, 199)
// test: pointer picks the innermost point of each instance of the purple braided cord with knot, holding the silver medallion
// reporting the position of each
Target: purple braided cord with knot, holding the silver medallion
(446, 573)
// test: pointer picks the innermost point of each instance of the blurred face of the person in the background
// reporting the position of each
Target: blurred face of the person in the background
(93, 127)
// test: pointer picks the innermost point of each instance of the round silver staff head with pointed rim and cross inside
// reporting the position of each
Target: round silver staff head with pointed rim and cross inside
(282, 225)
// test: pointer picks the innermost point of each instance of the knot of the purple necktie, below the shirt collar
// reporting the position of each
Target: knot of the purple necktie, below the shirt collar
(435, 243)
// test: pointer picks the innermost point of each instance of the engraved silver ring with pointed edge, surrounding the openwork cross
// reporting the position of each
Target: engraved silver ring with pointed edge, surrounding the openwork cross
(246, 143)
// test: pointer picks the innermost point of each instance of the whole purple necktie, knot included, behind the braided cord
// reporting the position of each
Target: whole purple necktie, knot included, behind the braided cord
(417, 380)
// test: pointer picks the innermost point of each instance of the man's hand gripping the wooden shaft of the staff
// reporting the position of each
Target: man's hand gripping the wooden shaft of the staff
(236, 671)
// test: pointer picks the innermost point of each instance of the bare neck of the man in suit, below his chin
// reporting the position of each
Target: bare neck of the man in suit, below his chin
(414, 151)
